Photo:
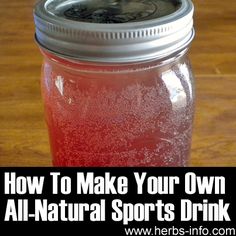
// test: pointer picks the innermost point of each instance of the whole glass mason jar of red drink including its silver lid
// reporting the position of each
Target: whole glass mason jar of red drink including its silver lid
(116, 81)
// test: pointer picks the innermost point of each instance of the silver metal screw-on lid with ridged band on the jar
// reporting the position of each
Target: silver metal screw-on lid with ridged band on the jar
(114, 30)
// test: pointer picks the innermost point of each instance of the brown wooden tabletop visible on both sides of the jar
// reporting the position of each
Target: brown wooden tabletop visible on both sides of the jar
(23, 135)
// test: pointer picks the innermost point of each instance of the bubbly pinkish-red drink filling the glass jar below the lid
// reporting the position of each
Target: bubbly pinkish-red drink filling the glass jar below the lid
(135, 118)
